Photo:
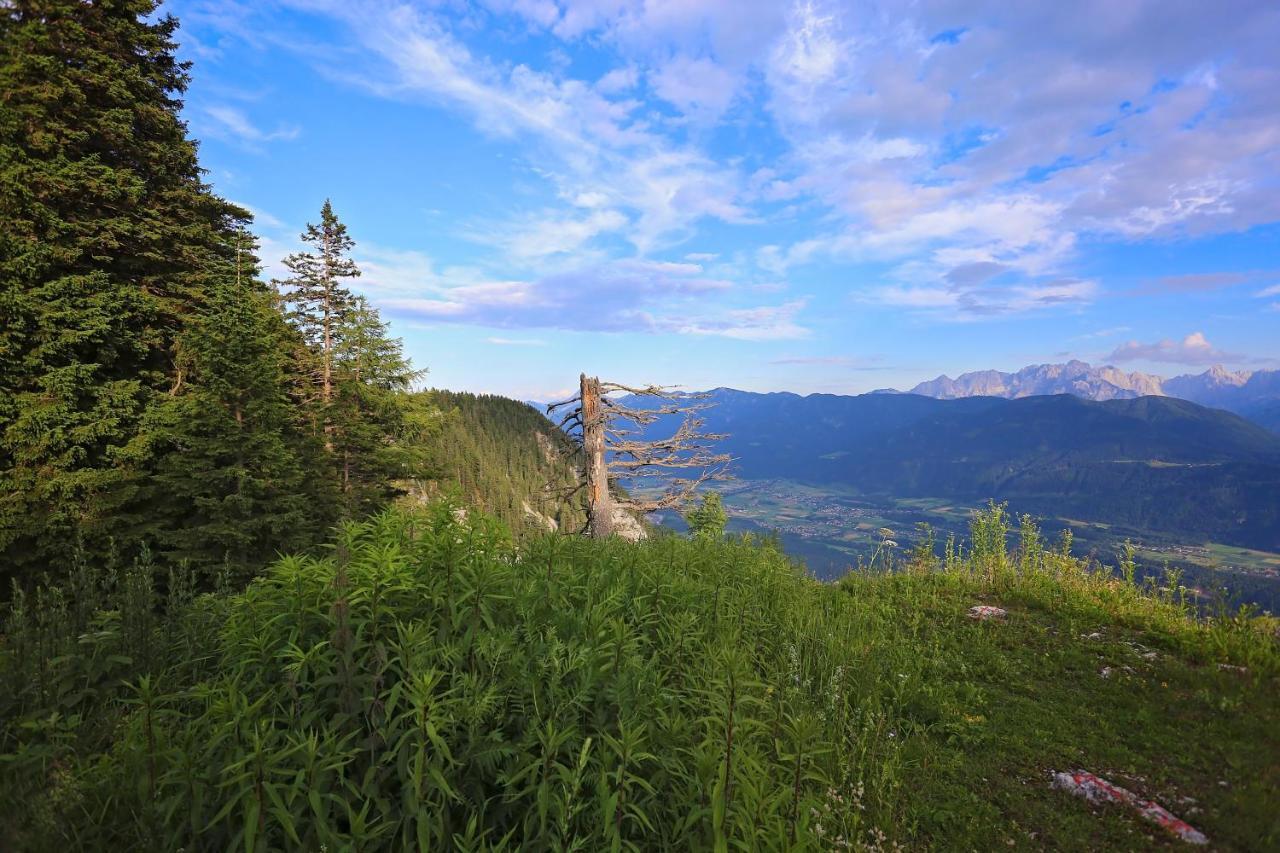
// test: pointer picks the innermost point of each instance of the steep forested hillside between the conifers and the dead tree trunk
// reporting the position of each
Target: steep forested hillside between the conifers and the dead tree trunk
(506, 459)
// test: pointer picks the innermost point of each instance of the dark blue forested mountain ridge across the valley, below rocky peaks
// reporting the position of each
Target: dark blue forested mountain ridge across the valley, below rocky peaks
(1149, 463)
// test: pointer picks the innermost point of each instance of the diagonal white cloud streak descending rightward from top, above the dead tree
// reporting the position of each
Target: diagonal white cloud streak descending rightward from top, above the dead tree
(587, 144)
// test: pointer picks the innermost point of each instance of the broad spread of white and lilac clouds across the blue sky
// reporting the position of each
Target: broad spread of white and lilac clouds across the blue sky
(971, 168)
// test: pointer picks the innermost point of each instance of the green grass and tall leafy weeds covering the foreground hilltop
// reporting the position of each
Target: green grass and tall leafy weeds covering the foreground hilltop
(428, 685)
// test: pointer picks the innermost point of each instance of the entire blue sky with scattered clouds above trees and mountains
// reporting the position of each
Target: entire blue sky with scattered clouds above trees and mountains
(810, 197)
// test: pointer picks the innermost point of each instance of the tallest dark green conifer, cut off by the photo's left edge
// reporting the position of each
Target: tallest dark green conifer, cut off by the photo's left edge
(111, 240)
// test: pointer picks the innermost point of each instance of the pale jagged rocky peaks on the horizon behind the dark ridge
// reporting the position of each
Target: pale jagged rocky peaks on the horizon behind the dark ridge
(1252, 394)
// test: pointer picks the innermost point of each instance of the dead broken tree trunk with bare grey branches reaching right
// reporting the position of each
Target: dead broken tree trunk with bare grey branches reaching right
(611, 436)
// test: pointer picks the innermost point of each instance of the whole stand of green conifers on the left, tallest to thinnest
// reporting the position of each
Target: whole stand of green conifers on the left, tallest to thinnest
(156, 395)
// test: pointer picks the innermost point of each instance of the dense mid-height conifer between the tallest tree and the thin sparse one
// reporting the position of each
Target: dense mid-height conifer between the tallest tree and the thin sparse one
(232, 480)
